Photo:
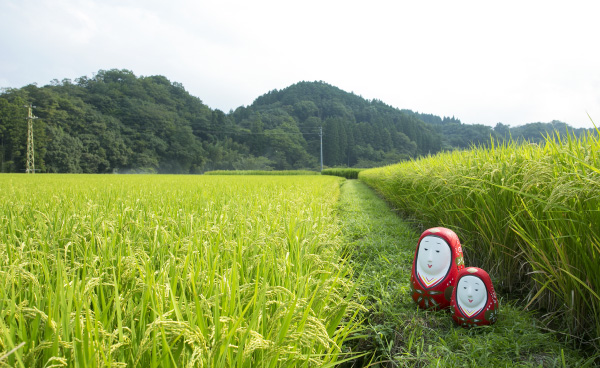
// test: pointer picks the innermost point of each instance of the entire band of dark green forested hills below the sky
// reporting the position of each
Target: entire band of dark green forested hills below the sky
(118, 122)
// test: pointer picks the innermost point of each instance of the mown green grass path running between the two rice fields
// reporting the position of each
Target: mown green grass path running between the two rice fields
(398, 334)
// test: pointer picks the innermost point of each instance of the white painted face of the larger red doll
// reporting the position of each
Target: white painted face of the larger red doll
(434, 257)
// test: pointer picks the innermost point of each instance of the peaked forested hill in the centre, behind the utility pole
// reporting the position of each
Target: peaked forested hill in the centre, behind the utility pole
(356, 131)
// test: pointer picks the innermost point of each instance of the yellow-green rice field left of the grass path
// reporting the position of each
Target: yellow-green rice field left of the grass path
(165, 271)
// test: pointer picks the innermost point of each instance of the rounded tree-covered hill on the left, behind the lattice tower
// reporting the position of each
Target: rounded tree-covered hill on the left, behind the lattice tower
(113, 122)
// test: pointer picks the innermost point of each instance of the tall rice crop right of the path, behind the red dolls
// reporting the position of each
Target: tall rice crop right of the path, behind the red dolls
(527, 213)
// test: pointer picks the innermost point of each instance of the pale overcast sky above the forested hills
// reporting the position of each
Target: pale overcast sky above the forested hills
(513, 62)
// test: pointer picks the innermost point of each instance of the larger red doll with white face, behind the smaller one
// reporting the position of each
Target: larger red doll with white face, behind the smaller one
(438, 259)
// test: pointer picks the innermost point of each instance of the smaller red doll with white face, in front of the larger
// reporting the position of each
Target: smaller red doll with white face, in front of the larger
(474, 299)
